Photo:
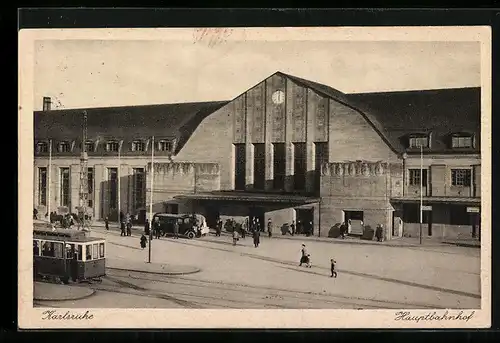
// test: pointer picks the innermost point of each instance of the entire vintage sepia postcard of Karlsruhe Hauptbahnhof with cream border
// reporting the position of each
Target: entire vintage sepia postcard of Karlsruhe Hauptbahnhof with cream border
(255, 178)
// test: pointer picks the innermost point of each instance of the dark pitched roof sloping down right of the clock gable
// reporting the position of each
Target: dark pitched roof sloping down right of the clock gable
(395, 115)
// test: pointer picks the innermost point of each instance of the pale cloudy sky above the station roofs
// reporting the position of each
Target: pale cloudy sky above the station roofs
(102, 73)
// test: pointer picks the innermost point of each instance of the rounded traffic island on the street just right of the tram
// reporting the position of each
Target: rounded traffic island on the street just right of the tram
(151, 268)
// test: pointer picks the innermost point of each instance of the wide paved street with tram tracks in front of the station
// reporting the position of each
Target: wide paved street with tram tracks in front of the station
(242, 276)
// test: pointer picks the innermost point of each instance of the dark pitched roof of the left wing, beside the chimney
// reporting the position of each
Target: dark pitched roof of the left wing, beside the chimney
(126, 122)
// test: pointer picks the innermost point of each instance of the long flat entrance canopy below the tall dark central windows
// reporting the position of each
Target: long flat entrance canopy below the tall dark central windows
(250, 197)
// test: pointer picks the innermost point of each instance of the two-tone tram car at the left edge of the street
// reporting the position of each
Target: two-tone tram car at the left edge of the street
(68, 254)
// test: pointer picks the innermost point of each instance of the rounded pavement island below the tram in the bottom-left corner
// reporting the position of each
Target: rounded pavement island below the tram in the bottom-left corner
(53, 292)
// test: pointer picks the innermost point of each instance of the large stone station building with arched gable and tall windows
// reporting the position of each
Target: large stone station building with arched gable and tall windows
(286, 149)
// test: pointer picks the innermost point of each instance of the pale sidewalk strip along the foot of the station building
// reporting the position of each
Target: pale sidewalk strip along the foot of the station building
(396, 242)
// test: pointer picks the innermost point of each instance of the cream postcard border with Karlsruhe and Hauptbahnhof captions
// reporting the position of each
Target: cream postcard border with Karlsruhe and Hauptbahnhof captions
(31, 318)
